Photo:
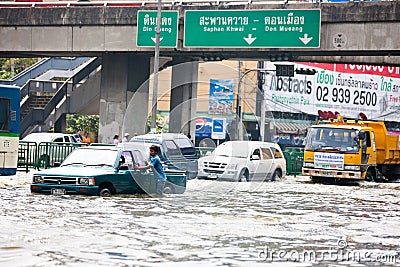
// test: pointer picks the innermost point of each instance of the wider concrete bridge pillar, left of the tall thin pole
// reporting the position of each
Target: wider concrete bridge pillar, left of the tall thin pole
(124, 95)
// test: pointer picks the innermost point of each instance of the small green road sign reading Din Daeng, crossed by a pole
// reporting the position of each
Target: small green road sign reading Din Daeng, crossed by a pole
(147, 24)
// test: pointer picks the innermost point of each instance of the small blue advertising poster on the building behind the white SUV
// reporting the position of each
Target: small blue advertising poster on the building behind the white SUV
(221, 96)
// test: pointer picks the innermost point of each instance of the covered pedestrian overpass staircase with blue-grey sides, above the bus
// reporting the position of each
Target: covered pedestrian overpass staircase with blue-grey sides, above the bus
(42, 86)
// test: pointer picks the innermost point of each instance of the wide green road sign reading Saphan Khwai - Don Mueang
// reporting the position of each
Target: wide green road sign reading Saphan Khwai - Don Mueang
(277, 28)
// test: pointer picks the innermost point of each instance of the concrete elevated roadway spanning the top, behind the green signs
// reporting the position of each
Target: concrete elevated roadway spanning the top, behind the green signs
(354, 32)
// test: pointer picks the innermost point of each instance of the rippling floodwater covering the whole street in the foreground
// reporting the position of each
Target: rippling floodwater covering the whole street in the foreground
(286, 223)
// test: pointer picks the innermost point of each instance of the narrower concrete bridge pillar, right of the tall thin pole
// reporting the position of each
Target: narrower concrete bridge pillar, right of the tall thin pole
(184, 98)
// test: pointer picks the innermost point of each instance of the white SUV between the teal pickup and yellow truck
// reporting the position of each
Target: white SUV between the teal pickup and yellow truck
(244, 161)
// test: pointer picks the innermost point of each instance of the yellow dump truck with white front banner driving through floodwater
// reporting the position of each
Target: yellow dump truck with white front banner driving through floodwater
(351, 150)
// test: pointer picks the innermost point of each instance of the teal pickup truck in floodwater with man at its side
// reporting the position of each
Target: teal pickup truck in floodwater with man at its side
(104, 171)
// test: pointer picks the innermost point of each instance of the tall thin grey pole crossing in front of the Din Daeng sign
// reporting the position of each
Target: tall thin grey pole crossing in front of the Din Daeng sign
(153, 125)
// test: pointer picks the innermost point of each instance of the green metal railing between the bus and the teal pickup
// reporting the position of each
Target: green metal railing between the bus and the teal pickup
(43, 155)
